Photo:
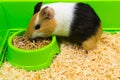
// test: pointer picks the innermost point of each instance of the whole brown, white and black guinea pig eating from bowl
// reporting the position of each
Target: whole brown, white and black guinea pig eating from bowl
(78, 21)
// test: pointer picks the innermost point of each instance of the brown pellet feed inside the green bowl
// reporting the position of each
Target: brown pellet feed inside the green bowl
(23, 43)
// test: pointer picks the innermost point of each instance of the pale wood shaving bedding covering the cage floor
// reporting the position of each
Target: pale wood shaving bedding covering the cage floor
(73, 63)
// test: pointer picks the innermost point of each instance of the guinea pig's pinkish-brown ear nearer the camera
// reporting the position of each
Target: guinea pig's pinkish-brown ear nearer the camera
(47, 13)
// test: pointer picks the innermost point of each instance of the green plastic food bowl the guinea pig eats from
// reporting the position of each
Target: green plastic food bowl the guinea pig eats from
(32, 59)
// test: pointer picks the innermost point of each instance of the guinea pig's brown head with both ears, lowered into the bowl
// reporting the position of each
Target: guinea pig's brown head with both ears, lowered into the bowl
(42, 23)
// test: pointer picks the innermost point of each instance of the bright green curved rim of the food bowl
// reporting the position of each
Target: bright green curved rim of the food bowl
(10, 44)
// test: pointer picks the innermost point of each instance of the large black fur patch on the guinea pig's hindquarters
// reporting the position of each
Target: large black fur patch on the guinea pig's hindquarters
(85, 23)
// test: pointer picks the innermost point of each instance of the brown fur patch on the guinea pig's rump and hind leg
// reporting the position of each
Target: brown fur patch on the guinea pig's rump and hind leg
(91, 43)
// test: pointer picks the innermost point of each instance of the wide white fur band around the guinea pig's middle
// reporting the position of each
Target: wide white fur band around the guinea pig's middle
(63, 17)
